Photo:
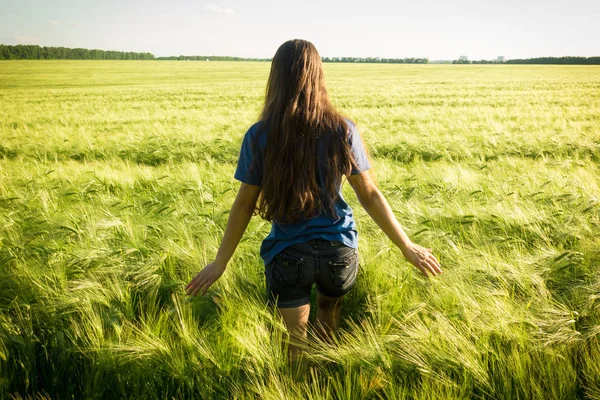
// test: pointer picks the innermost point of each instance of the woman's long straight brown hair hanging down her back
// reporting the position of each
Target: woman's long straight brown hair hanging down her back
(296, 113)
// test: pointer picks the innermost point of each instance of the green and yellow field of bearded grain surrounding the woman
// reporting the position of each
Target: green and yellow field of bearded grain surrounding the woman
(116, 179)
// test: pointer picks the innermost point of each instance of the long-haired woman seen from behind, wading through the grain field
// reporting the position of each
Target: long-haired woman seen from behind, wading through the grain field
(291, 165)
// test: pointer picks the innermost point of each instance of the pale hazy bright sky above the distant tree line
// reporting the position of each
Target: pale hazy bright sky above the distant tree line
(435, 29)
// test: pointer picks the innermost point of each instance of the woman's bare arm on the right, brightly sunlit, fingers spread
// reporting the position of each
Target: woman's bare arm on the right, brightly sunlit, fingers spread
(379, 210)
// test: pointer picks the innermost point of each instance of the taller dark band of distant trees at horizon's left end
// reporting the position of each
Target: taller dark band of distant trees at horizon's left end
(34, 52)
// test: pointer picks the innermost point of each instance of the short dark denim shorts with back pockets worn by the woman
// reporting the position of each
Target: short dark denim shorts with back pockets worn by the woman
(332, 265)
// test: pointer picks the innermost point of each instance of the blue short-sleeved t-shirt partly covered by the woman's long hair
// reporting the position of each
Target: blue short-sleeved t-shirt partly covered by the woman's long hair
(322, 226)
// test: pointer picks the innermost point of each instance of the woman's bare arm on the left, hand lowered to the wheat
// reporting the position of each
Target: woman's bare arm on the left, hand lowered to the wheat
(239, 217)
